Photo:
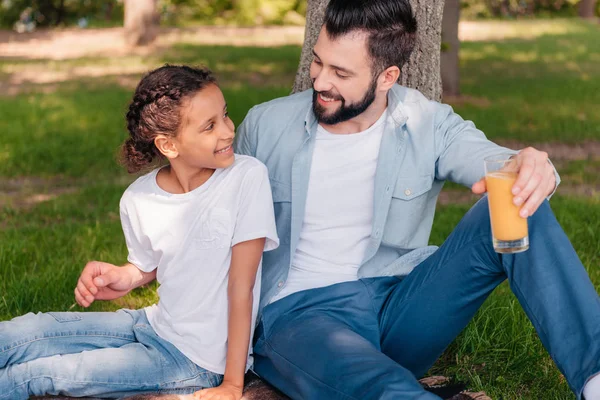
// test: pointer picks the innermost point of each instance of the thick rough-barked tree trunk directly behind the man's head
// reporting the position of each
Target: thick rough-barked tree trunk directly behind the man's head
(421, 72)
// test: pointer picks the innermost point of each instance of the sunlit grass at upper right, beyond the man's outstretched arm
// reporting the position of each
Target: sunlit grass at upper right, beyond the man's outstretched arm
(542, 89)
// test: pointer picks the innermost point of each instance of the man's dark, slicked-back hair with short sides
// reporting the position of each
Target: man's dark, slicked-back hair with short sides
(390, 24)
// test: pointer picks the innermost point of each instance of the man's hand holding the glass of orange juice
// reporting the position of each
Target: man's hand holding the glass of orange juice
(535, 182)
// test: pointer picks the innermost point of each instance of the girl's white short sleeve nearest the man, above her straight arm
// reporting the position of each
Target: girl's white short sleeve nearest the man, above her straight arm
(256, 218)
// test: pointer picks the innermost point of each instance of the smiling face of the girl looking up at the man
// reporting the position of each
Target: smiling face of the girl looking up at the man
(205, 139)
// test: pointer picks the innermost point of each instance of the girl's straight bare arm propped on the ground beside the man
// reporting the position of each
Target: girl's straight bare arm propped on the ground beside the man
(245, 259)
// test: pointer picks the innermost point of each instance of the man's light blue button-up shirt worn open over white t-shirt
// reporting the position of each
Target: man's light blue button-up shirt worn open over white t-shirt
(424, 144)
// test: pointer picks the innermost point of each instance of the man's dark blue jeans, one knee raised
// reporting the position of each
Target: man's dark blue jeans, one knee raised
(372, 338)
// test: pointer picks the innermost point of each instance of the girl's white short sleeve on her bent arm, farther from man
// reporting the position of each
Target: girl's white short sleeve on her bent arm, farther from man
(138, 245)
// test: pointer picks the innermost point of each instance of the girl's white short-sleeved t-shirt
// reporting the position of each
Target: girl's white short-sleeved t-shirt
(189, 237)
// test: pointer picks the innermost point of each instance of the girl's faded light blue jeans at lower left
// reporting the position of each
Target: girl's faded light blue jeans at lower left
(93, 354)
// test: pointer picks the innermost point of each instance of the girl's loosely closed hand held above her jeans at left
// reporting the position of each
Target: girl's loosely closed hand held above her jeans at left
(102, 281)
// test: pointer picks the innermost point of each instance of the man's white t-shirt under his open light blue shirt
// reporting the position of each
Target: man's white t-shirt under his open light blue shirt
(339, 209)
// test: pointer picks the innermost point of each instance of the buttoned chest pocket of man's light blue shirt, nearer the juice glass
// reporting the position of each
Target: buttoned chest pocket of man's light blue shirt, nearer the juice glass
(406, 225)
